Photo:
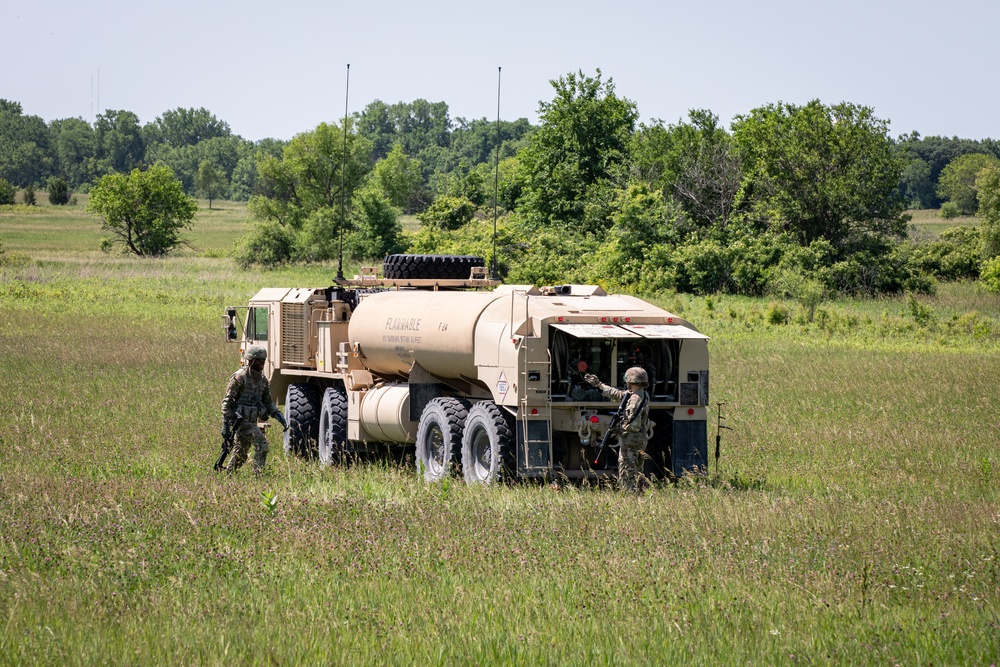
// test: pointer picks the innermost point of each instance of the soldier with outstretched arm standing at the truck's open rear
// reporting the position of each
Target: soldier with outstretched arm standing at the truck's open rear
(634, 424)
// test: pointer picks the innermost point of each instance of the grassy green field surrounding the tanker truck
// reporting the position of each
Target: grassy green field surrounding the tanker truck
(855, 517)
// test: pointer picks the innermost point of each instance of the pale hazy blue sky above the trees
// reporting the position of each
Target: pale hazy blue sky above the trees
(275, 69)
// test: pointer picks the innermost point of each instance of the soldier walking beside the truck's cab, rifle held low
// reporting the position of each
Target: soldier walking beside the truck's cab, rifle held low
(248, 399)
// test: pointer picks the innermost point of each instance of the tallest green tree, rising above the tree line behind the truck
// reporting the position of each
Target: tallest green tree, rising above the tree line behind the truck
(573, 160)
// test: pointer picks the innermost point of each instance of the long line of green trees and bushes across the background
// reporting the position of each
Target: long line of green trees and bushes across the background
(801, 199)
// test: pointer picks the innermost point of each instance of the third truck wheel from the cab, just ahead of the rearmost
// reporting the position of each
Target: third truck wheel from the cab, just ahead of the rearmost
(439, 437)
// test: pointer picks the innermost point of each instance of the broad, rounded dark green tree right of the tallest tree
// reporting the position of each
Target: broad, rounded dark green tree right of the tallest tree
(822, 172)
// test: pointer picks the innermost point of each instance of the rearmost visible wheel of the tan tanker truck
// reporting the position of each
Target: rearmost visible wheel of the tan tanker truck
(488, 445)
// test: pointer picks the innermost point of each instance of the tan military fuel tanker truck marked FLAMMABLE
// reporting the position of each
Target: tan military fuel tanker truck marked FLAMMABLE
(478, 378)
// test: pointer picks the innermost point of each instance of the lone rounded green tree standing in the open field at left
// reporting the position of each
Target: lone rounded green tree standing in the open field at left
(145, 211)
